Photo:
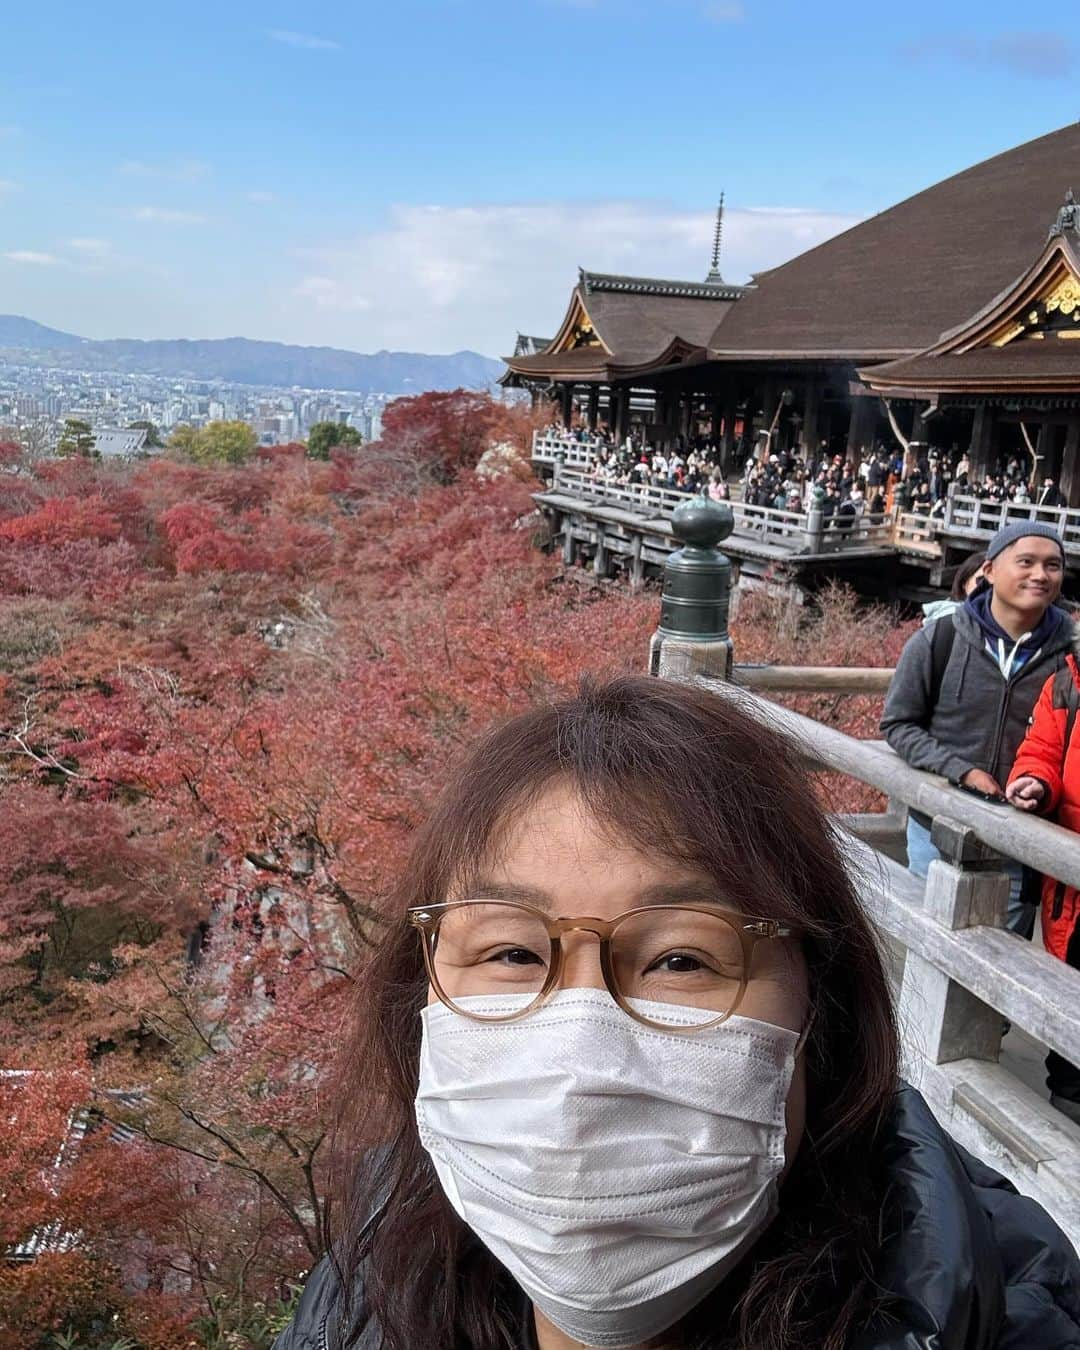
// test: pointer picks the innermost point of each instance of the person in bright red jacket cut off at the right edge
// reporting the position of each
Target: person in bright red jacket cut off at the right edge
(1046, 778)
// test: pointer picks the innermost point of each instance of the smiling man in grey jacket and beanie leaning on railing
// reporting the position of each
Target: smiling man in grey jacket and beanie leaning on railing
(961, 703)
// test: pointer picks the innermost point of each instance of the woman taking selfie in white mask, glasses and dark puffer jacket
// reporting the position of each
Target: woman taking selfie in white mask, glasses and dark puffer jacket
(626, 1075)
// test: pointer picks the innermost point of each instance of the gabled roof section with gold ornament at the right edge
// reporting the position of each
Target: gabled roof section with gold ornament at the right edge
(1028, 337)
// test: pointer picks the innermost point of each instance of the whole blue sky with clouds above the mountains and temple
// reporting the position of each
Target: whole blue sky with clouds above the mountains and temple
(429, 175)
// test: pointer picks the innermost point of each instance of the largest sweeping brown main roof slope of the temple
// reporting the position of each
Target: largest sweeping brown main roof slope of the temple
(893, 284)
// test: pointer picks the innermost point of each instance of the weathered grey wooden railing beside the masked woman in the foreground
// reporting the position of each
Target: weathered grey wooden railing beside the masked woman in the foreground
(965, 977)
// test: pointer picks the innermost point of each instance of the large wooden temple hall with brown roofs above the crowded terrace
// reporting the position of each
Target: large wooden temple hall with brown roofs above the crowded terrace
(950, 321)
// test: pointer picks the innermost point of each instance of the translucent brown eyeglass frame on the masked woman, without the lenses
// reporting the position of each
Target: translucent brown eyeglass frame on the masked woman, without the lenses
(749, 929)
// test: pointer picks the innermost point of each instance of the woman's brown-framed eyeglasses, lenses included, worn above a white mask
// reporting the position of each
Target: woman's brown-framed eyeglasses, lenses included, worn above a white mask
(696, 956)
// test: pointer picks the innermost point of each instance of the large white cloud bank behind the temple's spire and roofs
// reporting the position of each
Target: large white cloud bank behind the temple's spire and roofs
(439, 279)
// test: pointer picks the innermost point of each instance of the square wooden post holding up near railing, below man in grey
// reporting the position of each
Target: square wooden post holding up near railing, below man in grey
(940, 1020)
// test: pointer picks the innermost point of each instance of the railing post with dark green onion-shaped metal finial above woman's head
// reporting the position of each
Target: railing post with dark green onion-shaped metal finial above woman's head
(693, 637)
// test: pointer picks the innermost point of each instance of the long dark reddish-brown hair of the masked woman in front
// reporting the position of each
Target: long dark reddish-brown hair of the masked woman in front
(704, 784)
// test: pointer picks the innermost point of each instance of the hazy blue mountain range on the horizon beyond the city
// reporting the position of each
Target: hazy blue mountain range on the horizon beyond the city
(245, 361)
